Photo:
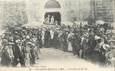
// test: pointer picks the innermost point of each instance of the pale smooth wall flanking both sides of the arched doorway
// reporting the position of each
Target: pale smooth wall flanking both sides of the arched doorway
(69, 9)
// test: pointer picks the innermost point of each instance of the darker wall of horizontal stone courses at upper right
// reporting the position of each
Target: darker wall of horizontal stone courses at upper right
(103, 10)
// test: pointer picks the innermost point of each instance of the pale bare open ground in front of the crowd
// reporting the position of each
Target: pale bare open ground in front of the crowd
(53, 58)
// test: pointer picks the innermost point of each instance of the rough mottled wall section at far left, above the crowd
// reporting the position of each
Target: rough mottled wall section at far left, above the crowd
(12, 13)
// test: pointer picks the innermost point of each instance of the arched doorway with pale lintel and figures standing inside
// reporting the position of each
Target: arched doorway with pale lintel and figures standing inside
(52, 13)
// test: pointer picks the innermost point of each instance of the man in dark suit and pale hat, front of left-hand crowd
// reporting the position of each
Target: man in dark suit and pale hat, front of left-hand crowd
(18, 51)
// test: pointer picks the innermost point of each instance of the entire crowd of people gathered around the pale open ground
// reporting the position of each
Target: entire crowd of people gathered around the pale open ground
(22, 45)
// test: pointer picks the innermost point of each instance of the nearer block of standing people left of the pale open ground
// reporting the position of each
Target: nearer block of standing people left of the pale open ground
(20, 45)
